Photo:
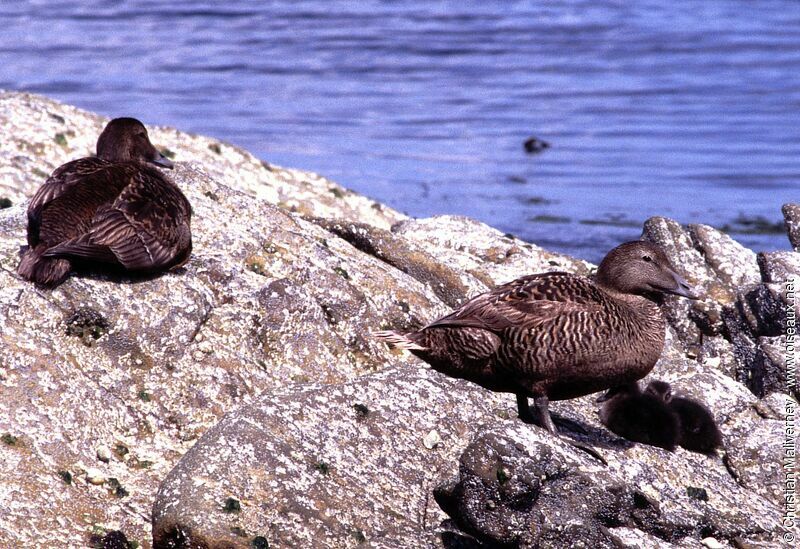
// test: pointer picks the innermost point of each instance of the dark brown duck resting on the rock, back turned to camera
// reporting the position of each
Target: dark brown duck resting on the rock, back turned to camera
(111, 209)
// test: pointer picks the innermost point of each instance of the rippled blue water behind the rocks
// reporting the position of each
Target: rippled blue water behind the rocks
(687, 109)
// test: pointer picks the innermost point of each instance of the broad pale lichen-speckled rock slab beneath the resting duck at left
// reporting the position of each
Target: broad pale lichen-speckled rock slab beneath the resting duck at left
(149, 364)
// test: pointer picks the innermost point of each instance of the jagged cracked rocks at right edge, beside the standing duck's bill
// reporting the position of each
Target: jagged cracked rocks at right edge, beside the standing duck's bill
(741, 320)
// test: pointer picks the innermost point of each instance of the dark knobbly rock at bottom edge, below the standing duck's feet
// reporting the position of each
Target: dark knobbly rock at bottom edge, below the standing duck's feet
(518, 496)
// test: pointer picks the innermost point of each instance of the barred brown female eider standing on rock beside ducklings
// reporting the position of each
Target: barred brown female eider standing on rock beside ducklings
(556, 336)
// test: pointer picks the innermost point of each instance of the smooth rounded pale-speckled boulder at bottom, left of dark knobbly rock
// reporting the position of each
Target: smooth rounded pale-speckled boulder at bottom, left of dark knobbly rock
(337, 463)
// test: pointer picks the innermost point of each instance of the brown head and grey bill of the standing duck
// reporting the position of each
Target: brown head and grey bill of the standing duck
(642, 268)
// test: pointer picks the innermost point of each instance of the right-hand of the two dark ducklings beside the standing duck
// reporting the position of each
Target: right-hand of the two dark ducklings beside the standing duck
(699, 431)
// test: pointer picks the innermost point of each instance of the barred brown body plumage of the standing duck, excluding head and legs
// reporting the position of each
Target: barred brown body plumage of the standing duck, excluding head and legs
(546, 334)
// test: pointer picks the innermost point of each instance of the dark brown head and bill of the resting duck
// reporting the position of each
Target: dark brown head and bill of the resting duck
(126, 140)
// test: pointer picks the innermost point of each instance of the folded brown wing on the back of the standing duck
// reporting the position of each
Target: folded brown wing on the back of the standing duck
(527, 302)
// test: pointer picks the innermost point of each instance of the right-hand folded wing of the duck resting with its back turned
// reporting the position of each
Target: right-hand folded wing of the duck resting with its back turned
(146, 228)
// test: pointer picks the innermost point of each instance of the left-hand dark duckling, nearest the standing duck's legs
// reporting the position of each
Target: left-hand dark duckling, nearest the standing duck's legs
(639, 417)
